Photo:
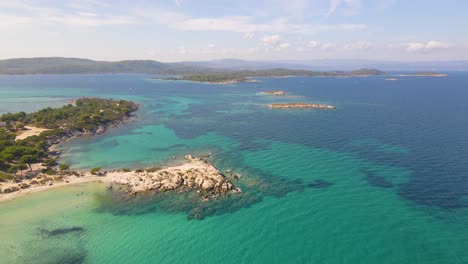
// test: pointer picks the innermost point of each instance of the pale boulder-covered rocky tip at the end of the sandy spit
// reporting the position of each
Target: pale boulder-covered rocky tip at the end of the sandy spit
(197, 174)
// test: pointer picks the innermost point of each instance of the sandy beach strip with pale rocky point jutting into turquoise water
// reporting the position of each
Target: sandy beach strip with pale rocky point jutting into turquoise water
(196, 174)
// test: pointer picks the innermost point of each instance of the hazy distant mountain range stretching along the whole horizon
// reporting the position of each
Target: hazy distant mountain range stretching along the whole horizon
(59, 65)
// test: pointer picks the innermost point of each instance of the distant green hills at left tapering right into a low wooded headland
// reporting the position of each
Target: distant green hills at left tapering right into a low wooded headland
(187, 72)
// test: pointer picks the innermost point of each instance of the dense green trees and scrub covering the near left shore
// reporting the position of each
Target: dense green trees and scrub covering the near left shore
(88, 115)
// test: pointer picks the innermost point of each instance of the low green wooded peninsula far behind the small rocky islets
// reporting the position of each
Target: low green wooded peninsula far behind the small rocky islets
(242, 76)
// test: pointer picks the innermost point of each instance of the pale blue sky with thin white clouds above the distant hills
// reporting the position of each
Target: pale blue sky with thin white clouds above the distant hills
(187, 30)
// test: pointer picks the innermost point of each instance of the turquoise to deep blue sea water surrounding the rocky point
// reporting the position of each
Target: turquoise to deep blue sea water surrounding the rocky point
(382, 179)
